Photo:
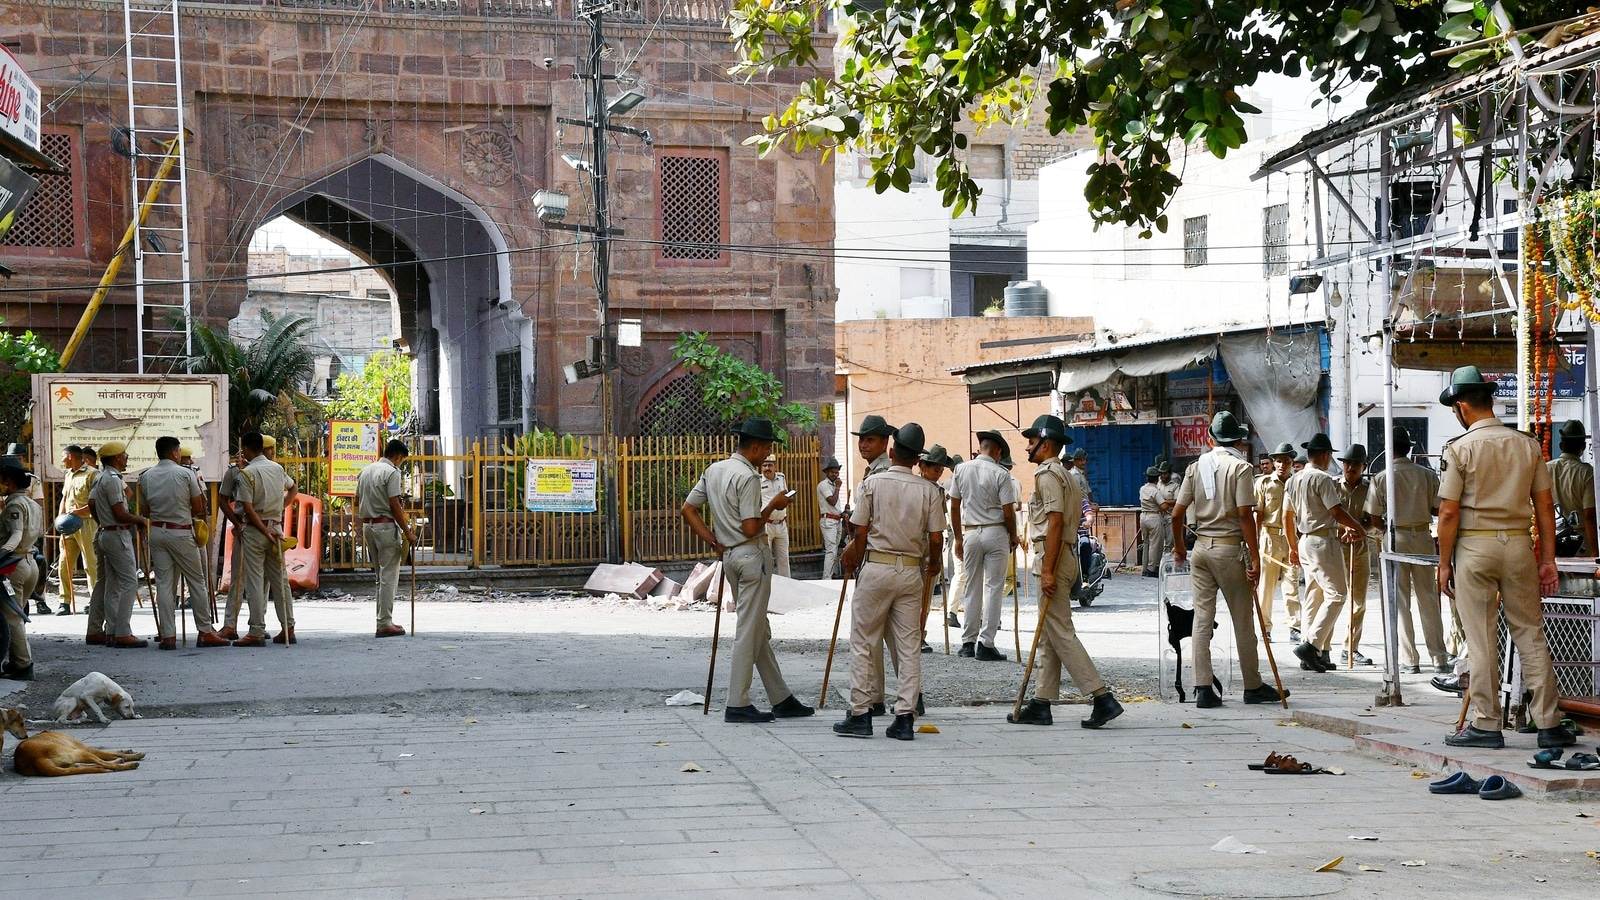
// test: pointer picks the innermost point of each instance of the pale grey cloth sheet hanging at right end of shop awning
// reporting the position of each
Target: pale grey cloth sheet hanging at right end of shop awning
(1279, 377)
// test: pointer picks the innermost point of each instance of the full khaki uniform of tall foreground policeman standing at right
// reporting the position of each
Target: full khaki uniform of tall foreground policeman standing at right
(1494, 472)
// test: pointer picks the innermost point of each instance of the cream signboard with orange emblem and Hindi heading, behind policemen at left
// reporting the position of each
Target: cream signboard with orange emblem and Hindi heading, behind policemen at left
(92, 411)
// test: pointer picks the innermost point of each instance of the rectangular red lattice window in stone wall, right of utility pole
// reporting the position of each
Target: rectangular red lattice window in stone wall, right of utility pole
(694, 209)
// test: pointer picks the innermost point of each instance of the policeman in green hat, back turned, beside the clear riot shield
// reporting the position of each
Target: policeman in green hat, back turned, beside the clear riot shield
(1222, 491)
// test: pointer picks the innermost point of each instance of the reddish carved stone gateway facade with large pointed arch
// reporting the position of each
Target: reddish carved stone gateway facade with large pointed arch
(418, 140)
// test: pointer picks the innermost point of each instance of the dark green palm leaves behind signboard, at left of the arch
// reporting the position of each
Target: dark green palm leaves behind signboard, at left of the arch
(262, 377)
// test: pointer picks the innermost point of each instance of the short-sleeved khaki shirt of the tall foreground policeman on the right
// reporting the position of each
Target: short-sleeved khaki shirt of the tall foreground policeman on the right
(1494, 472)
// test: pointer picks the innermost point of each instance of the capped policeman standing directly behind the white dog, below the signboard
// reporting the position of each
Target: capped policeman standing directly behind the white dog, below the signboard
(111, 603)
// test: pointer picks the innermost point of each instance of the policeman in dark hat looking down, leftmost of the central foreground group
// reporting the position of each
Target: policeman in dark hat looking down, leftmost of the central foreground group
(732, 489)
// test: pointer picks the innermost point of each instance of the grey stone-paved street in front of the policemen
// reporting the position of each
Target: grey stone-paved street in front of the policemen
(518, 758)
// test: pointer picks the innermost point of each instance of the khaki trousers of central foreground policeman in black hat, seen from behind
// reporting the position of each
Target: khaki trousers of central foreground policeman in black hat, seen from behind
(887, 606)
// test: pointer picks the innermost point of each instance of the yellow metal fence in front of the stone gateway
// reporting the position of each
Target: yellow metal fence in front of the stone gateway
(466, 502)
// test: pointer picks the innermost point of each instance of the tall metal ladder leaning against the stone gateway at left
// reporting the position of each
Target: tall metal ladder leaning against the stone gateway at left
(161, 241)
